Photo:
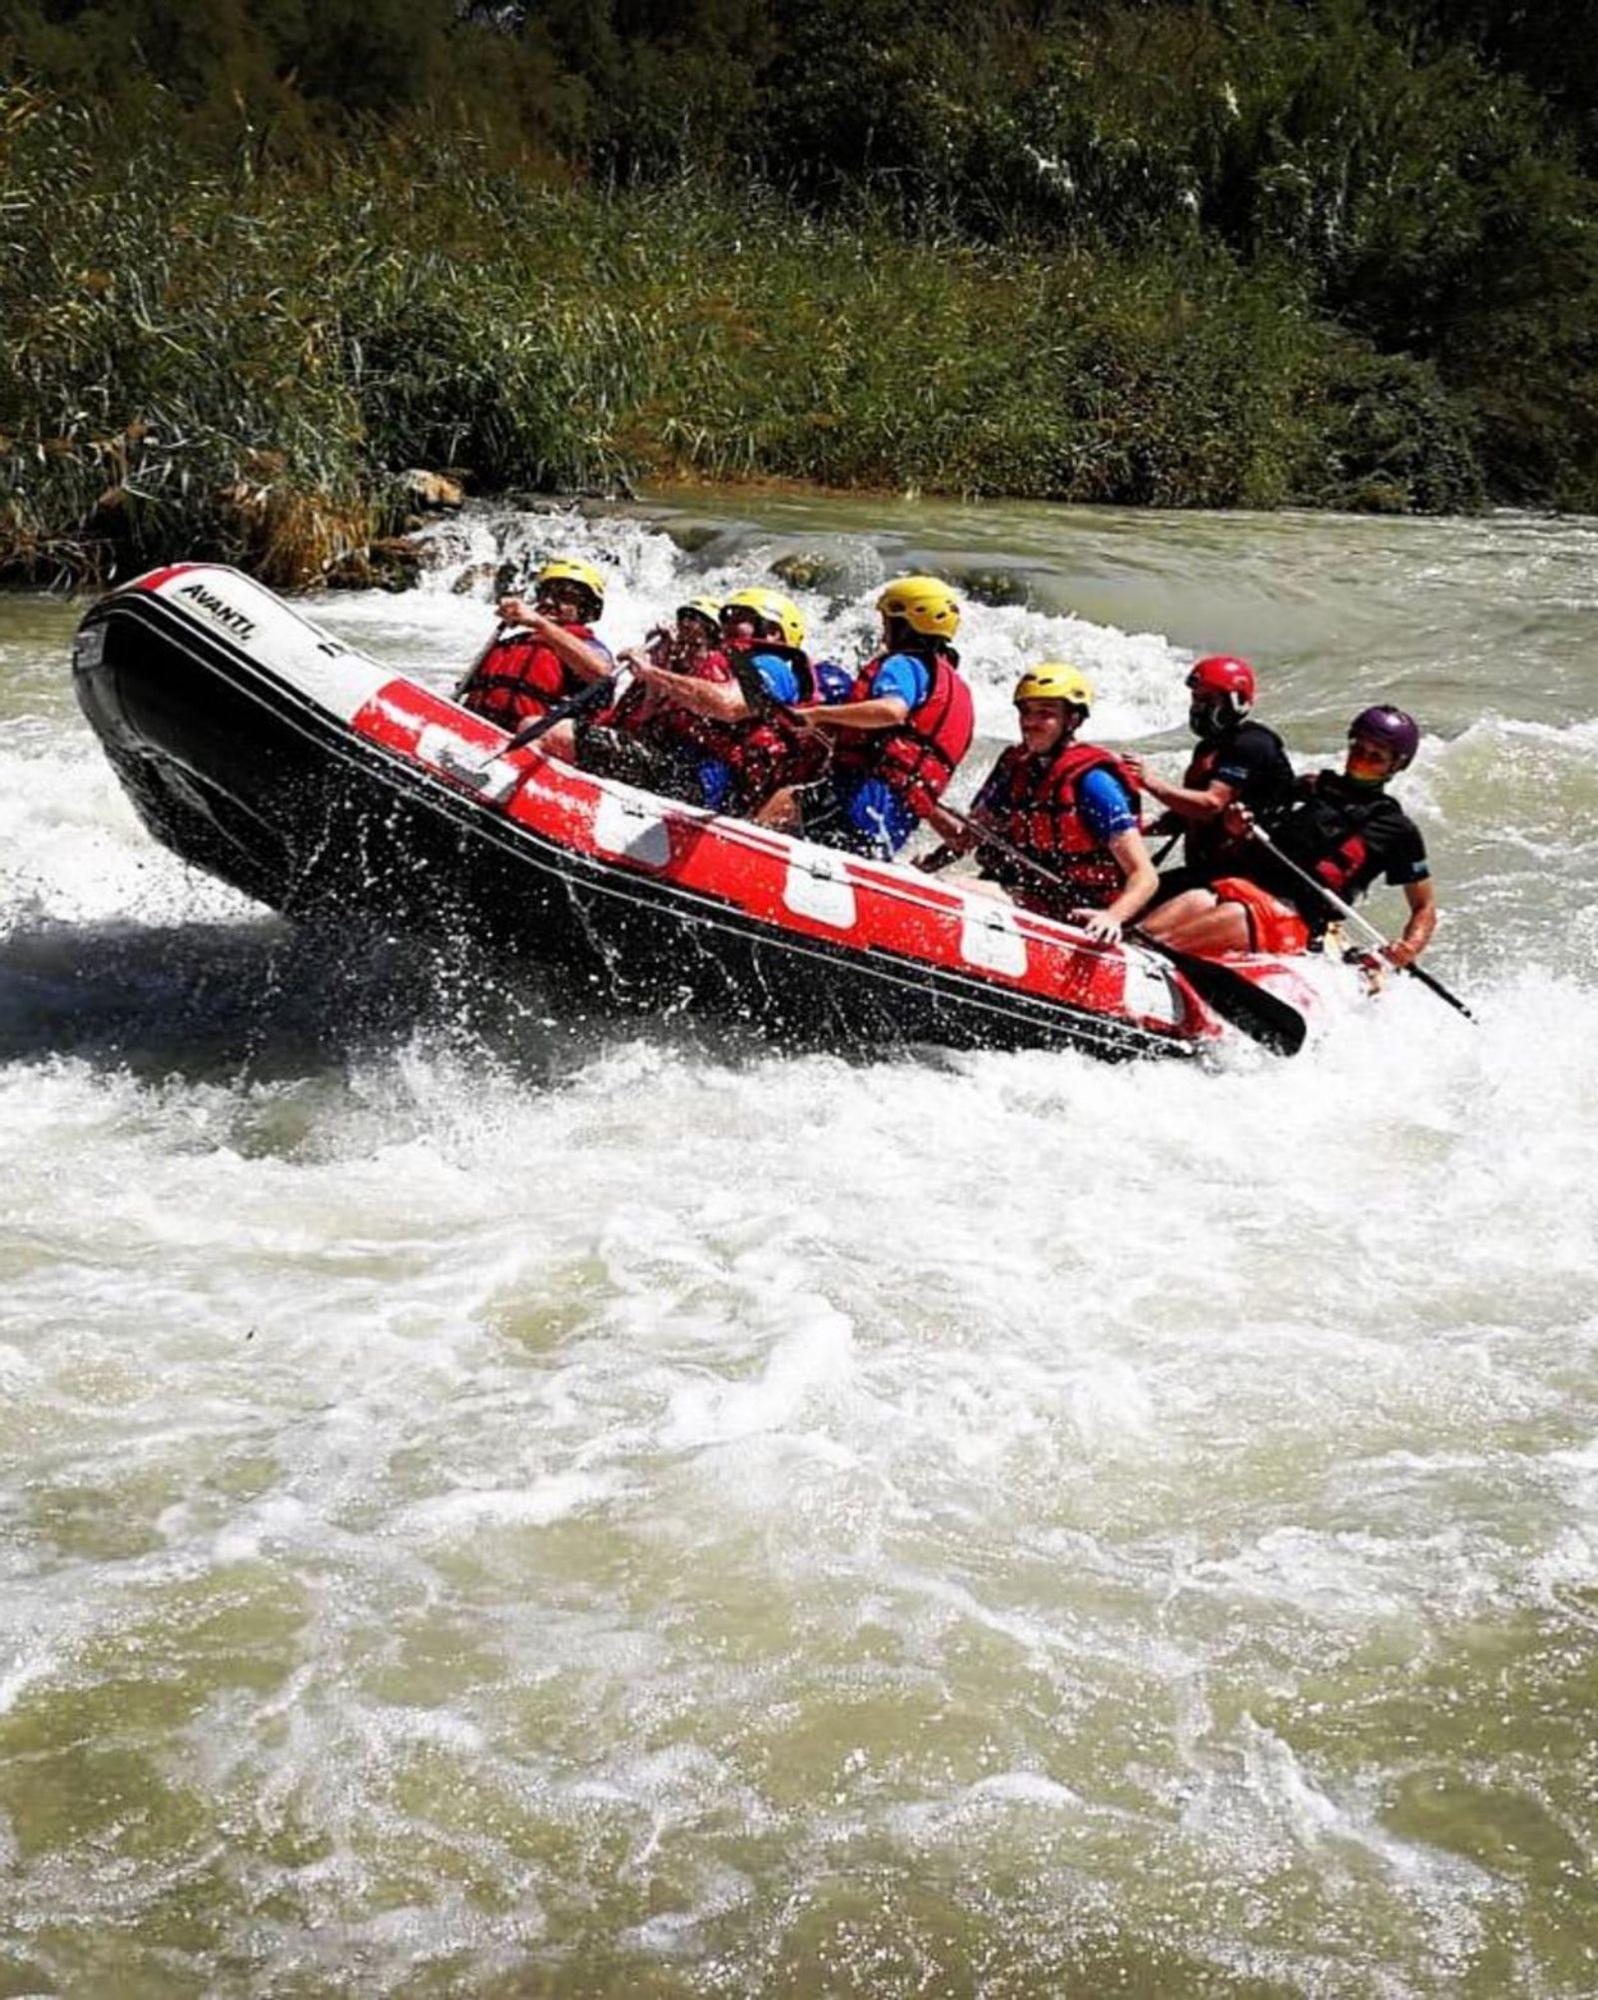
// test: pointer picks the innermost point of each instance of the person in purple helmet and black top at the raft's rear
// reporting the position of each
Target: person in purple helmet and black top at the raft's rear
(1341, 829)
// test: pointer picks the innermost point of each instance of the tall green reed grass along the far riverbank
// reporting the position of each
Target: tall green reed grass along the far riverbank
(241, 363)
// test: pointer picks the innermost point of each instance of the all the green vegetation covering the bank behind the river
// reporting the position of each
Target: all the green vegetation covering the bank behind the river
(1193, 255)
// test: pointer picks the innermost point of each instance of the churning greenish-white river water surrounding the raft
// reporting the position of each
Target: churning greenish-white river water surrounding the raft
(511, 1505)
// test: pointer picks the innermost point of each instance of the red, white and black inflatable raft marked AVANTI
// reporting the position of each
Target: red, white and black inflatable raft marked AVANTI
(321, 783)
